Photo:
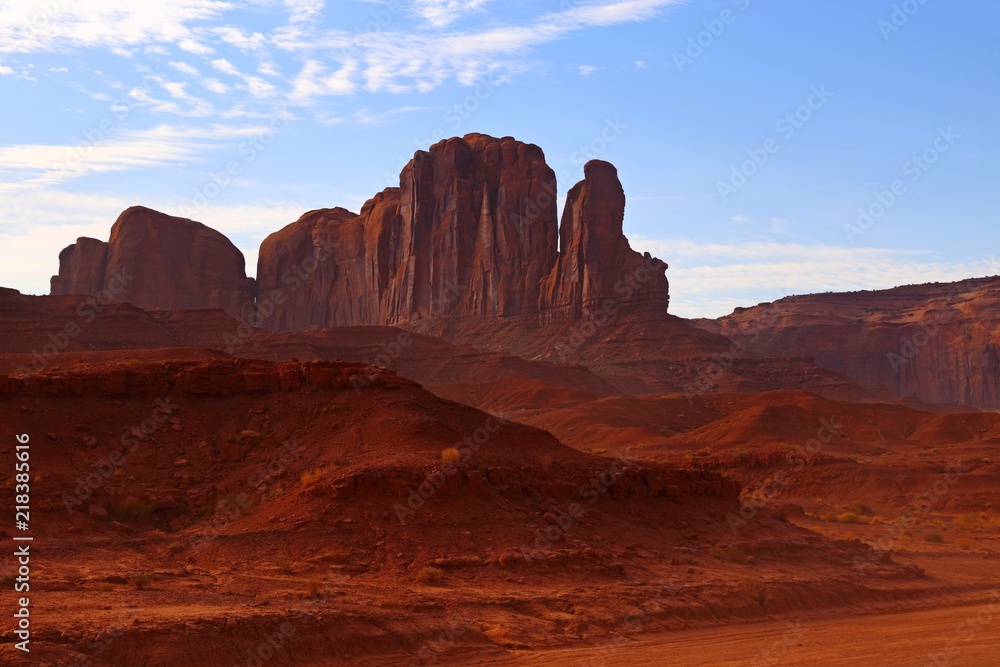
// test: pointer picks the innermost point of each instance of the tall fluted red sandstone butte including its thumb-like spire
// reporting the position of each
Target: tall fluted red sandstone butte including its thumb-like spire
(471, 233)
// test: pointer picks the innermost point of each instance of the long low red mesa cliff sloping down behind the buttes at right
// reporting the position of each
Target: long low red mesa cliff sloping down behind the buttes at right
(938, 342)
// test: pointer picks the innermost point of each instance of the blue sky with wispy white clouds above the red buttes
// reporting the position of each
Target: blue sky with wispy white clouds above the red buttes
(750, 135)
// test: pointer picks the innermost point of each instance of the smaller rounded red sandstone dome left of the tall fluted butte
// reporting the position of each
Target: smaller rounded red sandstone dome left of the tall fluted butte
(154, 260)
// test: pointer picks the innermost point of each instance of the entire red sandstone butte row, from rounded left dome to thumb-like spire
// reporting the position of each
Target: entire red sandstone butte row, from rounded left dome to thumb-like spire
(472, 232)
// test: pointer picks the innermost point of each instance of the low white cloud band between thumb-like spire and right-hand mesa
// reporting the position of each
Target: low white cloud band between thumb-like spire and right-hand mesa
(710, 279)
